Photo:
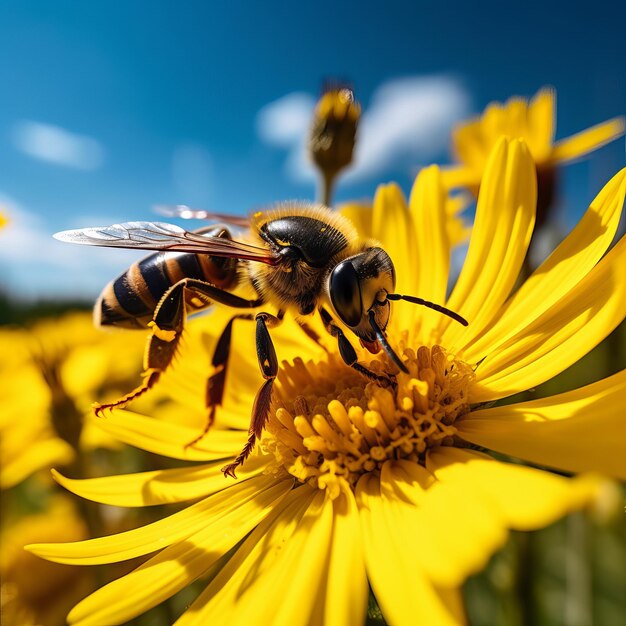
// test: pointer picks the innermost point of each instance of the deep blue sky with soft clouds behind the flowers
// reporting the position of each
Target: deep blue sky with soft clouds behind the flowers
(164, 102)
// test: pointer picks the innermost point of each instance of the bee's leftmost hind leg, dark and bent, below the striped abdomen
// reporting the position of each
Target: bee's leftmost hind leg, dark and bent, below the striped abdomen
(167, 325)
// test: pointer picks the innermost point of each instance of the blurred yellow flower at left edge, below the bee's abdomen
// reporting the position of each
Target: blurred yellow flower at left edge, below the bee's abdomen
(49, 377)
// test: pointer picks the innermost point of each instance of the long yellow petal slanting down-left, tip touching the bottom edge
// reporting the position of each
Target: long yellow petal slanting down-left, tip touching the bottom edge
(177, 565)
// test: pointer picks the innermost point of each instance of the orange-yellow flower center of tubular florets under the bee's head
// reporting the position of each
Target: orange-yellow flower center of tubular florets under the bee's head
(327, 428)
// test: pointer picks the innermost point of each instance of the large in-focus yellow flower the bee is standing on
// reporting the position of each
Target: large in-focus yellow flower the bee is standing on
(353, 483)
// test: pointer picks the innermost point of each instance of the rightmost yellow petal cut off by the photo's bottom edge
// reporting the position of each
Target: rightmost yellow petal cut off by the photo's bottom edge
(401, 588)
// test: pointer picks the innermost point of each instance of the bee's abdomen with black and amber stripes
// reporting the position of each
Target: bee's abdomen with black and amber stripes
(130, 300)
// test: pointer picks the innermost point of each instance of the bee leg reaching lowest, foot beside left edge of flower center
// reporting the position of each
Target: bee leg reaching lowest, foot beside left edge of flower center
(266, 354)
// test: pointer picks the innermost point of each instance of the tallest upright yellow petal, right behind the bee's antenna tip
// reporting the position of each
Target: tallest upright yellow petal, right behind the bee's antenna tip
(505, 216)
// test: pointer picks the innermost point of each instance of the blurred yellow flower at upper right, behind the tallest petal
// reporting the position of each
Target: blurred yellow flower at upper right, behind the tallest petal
(533, 121)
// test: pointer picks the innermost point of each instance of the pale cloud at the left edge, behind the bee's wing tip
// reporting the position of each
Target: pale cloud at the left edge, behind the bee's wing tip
(34, 265)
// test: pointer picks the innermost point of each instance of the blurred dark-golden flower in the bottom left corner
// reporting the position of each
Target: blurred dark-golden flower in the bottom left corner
(32, 591)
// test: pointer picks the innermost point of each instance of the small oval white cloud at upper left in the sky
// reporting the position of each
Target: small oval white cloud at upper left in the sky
(57, 145)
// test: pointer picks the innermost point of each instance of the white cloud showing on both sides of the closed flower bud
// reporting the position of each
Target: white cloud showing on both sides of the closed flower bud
(407, 123)
